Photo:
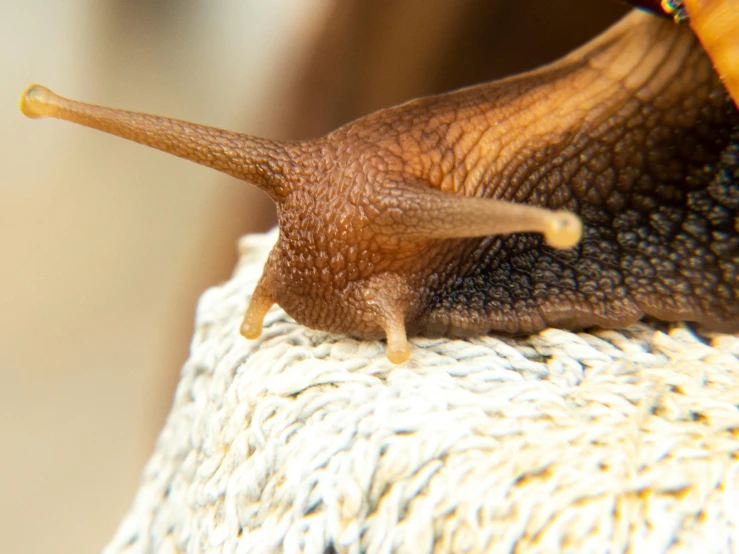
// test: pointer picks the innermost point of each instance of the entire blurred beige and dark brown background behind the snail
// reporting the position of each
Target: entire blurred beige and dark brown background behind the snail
(106, 245)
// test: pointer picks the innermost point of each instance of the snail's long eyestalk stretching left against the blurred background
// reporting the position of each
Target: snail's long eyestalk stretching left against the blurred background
(260, 161)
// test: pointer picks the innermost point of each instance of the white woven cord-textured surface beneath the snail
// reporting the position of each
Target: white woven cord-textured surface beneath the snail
(304, 441)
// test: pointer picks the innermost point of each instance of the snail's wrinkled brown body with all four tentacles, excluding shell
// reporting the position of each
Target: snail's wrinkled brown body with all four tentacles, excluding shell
(590, 192)
